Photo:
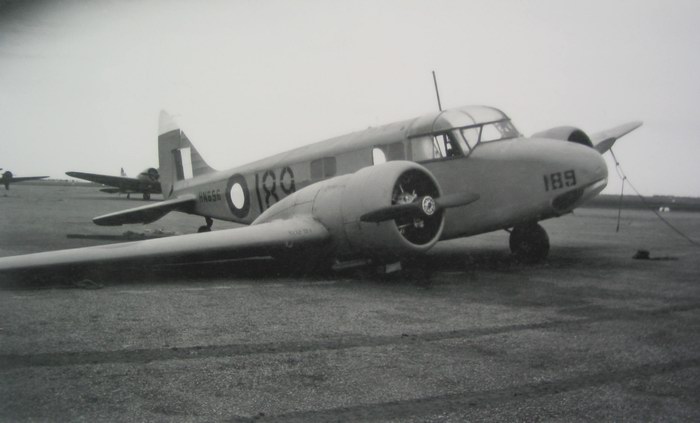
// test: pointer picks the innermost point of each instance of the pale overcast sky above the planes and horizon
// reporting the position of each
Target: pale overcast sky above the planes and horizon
(82, 83)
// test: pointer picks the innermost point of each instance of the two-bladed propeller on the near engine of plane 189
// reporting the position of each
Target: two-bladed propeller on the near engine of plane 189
(424, 206)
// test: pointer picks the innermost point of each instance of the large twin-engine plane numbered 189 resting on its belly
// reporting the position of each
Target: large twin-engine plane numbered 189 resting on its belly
(379, 196)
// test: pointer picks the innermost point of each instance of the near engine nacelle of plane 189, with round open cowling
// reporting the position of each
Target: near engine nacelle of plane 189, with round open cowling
(338, 203)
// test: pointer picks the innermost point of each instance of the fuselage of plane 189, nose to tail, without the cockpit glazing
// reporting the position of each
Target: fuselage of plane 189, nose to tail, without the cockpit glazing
(518, 179)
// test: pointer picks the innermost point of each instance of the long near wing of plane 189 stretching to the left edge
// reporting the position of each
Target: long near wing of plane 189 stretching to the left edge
(250, 241)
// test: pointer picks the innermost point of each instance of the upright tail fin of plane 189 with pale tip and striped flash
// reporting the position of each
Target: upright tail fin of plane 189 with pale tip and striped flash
(178, 159)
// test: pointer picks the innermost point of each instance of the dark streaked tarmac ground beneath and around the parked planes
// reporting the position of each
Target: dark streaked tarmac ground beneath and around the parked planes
(467, 335)
